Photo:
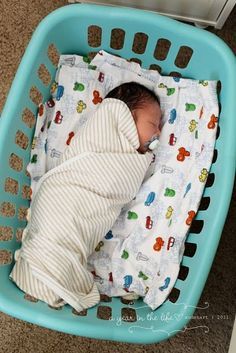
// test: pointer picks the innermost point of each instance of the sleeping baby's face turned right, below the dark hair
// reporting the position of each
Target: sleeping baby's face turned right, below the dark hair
(147, 120)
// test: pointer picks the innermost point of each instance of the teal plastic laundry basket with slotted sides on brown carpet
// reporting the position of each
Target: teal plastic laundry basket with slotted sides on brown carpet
(157, 42)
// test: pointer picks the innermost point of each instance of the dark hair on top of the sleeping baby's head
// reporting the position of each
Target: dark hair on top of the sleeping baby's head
(133, 94)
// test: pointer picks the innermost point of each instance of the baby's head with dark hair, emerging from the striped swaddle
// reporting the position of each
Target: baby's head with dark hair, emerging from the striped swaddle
(144, 107)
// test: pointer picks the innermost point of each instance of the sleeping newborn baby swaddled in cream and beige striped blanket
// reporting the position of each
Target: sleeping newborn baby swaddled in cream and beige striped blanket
(77, 202)
